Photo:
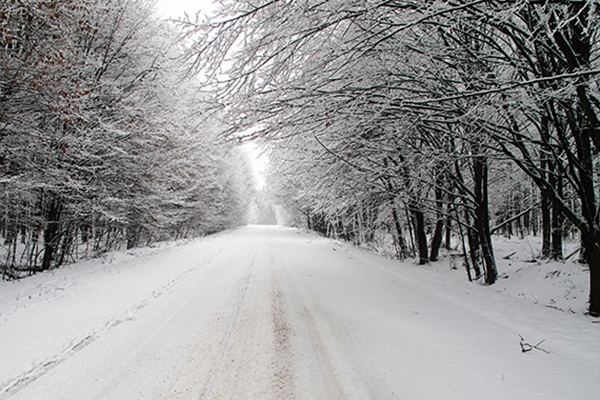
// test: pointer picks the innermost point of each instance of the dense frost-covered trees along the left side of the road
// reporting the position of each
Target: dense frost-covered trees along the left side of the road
(104, 138)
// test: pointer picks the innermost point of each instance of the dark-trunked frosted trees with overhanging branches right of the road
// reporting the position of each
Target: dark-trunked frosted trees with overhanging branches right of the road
(453, 118)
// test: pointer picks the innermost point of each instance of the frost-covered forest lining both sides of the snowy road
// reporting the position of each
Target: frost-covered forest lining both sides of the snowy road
(435, 123)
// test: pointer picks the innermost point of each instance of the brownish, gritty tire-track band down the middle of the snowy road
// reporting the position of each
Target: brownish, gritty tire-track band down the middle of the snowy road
(254, 358)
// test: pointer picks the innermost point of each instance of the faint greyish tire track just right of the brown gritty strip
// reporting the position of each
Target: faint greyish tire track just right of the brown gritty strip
(326, 361)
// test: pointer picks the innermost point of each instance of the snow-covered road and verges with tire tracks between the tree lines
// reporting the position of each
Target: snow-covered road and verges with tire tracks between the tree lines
(274, 313)
